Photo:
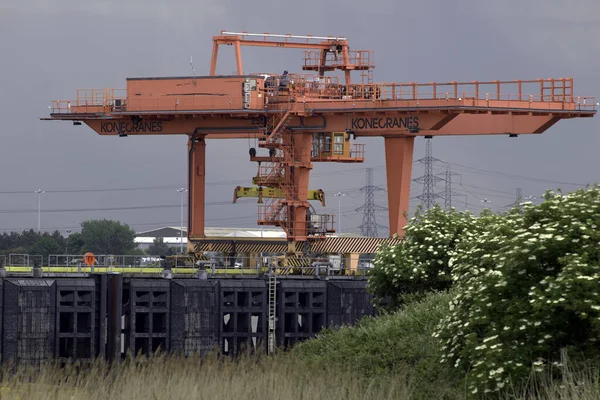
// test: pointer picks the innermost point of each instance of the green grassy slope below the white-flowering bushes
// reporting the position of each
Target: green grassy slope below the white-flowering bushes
(395, 344)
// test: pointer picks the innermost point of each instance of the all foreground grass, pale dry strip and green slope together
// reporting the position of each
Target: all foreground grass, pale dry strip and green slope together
(389, 357)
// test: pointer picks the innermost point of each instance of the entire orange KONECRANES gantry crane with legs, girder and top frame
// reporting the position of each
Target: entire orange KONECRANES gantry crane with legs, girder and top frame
(309, 117)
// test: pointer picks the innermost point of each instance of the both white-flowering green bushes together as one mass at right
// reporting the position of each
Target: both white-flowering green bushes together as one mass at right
(524, 284)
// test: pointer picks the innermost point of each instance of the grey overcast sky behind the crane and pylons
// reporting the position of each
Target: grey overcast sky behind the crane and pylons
(50, 48)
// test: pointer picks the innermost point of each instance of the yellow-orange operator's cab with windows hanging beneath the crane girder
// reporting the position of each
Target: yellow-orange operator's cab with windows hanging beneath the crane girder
(336, 146)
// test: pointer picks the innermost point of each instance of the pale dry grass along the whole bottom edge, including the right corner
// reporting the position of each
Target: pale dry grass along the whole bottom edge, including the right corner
(279, 378)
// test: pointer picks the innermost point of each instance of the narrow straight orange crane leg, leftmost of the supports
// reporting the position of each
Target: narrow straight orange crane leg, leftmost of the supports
(196, 185)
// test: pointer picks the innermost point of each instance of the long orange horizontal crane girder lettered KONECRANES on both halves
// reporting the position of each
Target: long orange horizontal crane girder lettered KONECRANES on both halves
(360, 124)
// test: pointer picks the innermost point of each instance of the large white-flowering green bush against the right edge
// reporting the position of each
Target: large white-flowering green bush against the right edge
(527, 288)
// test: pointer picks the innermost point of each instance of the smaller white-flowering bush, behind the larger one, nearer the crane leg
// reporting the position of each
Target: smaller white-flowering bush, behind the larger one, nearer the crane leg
(421, 262)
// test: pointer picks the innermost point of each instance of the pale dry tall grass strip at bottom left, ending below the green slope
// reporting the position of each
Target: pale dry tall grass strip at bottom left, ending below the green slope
(279, 377)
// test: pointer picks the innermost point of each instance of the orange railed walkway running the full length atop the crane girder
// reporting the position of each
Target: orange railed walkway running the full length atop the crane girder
(545, 93)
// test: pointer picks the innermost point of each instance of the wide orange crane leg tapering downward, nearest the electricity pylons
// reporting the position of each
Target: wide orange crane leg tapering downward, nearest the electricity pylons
(398, 163)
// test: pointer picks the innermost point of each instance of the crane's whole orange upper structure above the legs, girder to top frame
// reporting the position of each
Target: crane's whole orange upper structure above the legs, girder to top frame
(230, 104)
